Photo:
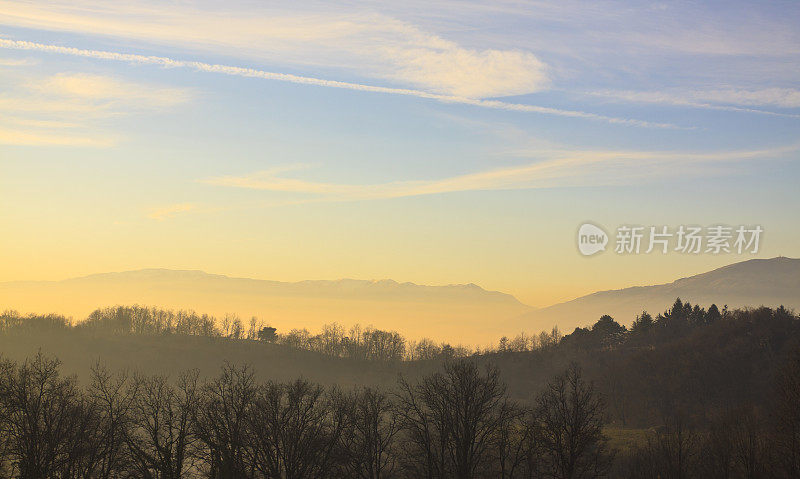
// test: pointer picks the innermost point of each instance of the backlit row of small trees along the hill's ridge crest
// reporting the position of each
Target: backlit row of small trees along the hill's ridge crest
(369, 343)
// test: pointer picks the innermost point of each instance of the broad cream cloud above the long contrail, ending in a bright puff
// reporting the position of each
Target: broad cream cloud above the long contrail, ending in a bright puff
(366, 43)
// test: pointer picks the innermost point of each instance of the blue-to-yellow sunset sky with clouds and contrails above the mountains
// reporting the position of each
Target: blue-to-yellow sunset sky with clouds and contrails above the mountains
(454, 142)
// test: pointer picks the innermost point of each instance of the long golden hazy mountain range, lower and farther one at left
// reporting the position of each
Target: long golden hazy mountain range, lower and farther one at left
(455, 313)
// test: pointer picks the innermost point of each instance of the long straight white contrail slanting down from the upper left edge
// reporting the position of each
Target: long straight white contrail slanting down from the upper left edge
(285, 77)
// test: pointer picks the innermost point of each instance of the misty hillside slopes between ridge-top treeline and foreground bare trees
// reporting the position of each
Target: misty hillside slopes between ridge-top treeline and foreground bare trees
(730, 361)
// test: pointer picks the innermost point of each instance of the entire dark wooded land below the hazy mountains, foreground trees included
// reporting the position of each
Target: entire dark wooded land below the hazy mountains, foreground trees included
(691, 392)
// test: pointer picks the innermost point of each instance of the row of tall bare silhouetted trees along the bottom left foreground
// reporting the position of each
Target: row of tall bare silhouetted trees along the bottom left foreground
(455, 423)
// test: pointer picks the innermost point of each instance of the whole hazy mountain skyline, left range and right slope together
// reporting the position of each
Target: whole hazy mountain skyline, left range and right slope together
(456, 313)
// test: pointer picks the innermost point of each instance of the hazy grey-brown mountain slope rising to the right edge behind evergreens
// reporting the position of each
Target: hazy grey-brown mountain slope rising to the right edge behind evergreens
(757, 282)
